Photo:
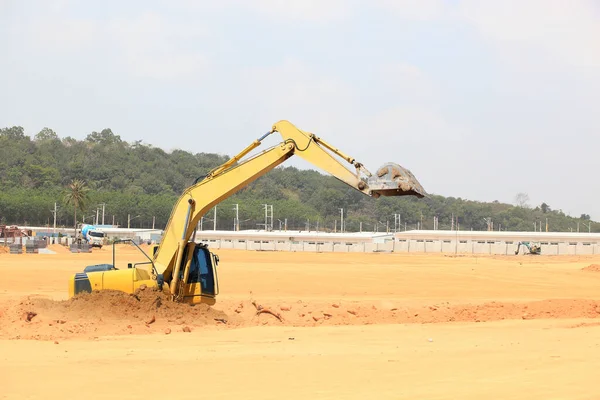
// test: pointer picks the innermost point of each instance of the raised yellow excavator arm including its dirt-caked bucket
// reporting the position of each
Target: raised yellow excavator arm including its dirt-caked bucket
(225, 180)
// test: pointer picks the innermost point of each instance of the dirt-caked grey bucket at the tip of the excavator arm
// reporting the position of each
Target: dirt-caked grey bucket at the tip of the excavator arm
(393, 180)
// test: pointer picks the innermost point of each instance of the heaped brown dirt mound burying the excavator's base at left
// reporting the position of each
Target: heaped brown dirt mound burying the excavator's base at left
(104, 313)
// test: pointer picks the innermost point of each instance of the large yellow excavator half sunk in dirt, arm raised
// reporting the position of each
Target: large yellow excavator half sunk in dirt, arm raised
(188, 270)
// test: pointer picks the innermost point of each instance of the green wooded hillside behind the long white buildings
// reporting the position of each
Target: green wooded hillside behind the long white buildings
(138, 184)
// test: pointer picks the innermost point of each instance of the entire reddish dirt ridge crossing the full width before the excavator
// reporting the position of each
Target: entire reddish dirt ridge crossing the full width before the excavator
(149, 311)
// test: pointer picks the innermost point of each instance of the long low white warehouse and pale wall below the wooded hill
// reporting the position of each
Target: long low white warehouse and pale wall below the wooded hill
(415, 241)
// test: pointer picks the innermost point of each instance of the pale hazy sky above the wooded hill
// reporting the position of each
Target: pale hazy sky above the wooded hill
(479, 99)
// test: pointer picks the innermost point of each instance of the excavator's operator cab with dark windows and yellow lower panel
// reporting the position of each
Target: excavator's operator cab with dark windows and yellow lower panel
(201, 281)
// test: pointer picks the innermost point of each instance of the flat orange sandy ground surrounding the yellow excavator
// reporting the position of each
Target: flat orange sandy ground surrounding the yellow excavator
(353, 326)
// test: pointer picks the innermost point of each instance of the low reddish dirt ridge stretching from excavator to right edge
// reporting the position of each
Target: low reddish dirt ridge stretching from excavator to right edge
(359, 313)
